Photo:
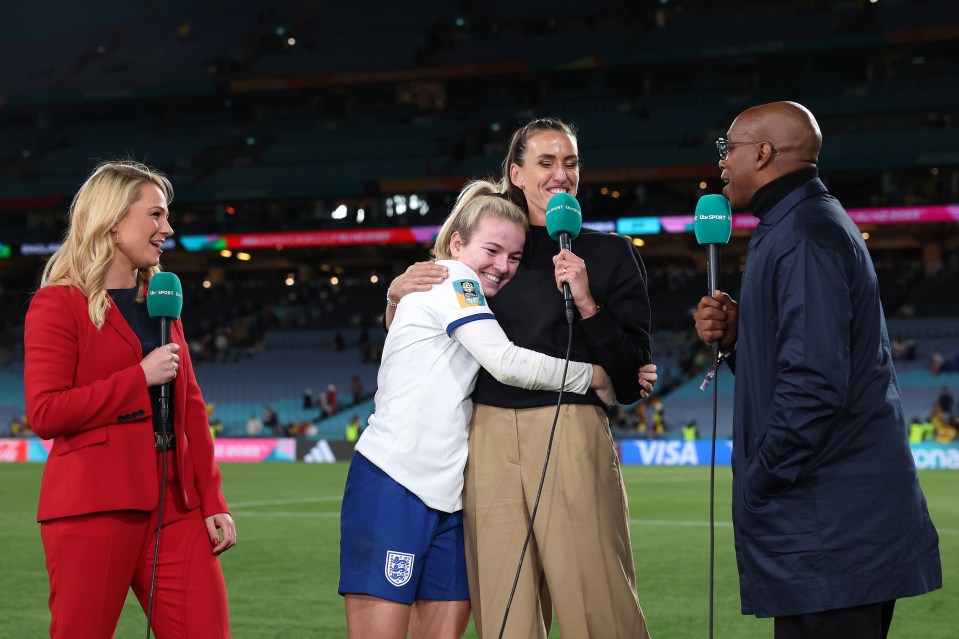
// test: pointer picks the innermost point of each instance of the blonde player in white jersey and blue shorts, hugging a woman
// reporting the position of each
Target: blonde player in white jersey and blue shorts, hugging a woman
(402, 561)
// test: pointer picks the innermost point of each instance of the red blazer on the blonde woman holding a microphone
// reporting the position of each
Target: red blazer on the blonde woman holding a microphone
(85, 390)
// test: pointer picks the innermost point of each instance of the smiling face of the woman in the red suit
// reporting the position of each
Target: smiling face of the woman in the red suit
(138, 236)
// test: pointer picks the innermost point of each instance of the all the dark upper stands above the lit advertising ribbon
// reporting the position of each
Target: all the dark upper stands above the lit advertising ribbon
(298, 99)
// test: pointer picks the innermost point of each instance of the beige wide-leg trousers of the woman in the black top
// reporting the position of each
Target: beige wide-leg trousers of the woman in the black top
(579, 561)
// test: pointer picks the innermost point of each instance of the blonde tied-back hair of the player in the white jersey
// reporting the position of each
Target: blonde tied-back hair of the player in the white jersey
(478, 198)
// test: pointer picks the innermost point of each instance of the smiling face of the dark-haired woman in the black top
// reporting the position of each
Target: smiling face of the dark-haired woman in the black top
(550, 166)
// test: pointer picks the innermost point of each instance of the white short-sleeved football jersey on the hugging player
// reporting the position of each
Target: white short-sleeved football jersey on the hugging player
(418, 432)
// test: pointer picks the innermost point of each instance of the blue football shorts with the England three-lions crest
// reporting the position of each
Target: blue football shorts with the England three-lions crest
(395, 547)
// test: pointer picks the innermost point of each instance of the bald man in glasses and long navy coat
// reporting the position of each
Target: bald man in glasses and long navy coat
(830, 524)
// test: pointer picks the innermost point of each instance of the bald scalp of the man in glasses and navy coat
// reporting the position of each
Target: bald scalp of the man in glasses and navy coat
(790, 127)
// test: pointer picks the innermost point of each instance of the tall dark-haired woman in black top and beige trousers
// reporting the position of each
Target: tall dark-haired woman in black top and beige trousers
(580, 560)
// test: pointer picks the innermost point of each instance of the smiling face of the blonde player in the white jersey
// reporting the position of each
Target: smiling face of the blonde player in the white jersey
(493, 252)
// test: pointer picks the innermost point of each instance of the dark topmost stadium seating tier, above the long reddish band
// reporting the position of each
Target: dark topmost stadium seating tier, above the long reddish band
(195, 45)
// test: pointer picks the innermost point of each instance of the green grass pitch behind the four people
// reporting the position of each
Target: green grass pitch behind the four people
(281, 577)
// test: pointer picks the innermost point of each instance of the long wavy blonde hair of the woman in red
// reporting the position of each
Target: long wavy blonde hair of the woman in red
(88, 248)
